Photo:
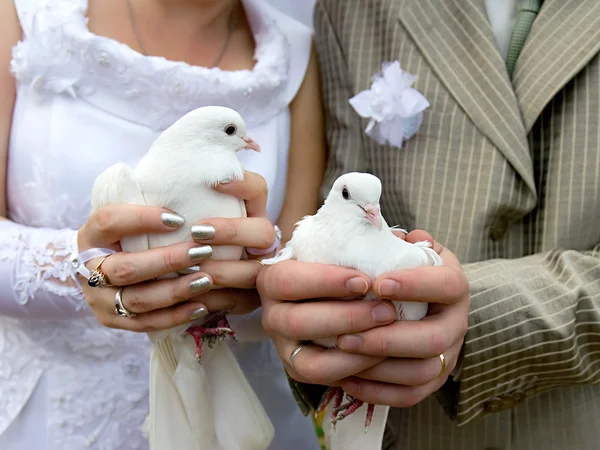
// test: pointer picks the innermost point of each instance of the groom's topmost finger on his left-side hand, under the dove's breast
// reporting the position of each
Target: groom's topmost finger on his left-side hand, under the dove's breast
(291, 280)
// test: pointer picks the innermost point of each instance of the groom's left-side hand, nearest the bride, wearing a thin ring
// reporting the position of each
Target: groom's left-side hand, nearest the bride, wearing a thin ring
(289, 320)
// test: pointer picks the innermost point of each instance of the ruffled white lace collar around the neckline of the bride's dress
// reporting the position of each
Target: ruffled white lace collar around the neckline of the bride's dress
(60, 55)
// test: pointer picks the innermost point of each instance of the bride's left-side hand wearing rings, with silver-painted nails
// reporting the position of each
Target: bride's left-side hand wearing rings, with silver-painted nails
(157, 304)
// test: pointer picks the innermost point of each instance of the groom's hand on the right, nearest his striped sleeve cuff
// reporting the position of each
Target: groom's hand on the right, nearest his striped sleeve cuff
(411, 371)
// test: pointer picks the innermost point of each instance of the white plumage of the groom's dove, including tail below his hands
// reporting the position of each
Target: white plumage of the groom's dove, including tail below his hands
(345, 232)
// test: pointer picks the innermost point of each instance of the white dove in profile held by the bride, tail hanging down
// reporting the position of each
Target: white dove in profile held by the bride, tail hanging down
(195, 404)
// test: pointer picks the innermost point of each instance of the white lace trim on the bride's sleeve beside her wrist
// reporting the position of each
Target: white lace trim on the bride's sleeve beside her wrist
(42, 262)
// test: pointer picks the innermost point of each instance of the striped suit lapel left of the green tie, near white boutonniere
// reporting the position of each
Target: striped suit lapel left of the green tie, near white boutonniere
(456, 39)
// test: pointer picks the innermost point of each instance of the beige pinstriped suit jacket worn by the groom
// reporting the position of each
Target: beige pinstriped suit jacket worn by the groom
(507, 175)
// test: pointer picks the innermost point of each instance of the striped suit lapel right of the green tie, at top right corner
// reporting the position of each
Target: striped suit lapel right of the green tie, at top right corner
(562, 40)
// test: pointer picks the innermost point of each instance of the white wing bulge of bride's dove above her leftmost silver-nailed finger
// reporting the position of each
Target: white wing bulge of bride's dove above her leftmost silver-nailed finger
(118, 185)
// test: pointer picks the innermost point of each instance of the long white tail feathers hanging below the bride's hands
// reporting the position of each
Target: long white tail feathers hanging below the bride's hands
(202, 406)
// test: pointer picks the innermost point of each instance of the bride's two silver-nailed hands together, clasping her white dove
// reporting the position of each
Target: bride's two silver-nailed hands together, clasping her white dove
(217, 286)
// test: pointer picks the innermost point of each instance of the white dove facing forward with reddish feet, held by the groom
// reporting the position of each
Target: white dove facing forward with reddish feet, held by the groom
(348, 230)
